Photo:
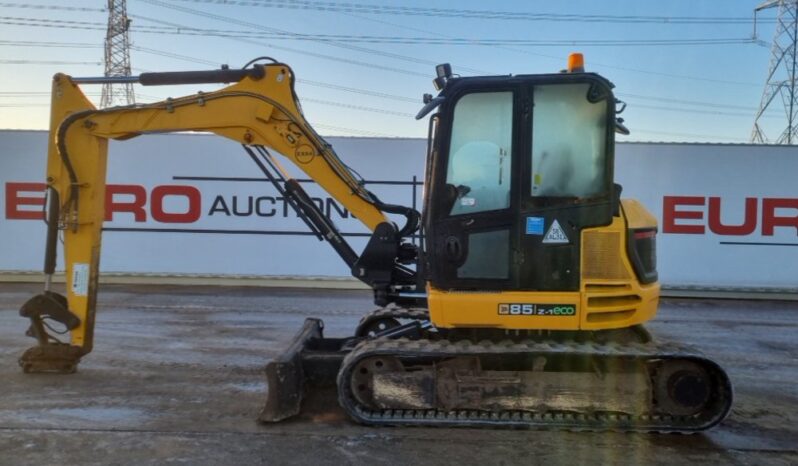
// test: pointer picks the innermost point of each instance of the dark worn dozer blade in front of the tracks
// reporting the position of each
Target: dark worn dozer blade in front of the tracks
(311, 362)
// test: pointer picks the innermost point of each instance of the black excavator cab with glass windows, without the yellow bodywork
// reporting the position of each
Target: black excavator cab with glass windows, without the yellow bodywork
(519, 167)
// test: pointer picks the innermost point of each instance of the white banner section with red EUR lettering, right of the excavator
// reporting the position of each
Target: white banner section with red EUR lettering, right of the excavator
(728, 214)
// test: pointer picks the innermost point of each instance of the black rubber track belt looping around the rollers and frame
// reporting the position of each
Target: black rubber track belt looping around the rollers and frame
(405, 349)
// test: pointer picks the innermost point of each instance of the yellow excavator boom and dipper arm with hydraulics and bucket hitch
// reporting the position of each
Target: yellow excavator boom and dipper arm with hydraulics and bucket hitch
(259, 110)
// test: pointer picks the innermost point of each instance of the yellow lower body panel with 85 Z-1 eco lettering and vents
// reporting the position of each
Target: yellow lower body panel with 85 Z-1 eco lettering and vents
(609, 296)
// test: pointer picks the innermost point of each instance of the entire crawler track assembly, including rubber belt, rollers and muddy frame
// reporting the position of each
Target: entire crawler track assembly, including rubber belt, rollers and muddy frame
(408, 370)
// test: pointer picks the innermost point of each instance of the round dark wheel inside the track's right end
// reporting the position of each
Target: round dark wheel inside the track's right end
(682, 388)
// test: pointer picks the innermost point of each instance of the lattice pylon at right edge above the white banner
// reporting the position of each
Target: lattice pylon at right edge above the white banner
(781, 81)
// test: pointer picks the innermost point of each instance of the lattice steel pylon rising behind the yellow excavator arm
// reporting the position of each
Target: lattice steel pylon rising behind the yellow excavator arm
(117, 56)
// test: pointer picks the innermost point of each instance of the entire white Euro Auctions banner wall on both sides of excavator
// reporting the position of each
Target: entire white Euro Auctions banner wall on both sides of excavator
(197, 204)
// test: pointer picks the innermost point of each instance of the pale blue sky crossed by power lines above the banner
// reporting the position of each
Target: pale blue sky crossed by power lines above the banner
(688, 70)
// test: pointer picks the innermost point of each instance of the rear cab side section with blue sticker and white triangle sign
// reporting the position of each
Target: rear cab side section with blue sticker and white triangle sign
(567, 185)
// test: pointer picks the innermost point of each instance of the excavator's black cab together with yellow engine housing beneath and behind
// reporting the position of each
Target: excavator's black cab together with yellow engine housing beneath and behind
(522, 212)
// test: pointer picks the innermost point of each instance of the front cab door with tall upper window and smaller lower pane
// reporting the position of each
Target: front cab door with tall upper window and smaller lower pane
(472, 229)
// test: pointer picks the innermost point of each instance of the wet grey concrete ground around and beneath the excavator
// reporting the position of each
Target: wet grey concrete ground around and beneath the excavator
(176, 377)
